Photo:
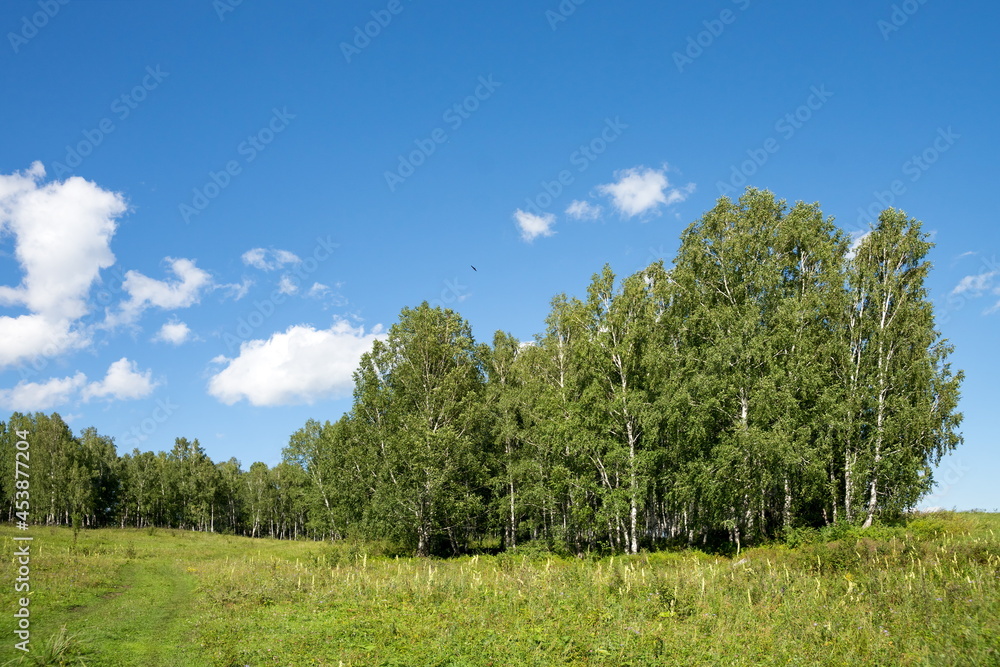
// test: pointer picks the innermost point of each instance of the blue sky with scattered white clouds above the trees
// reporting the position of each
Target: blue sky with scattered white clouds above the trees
(209, 209)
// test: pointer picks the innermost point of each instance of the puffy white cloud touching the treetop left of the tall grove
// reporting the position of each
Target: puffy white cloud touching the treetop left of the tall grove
(301, 365)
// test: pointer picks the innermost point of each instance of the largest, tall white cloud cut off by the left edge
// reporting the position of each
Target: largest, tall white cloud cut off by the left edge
(62, 233)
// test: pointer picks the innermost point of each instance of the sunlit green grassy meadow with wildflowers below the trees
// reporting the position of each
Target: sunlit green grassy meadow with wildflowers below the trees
(923, 594)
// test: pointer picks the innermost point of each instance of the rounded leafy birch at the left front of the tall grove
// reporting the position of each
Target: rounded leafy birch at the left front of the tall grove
(426, 382)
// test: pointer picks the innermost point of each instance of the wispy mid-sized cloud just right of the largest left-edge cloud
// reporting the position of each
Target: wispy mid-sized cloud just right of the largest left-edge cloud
(145, 292)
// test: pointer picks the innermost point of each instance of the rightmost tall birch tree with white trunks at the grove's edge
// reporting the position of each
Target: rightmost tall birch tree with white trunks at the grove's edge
(903, 392)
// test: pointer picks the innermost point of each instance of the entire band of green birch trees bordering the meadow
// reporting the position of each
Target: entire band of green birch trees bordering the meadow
(778, 375)
